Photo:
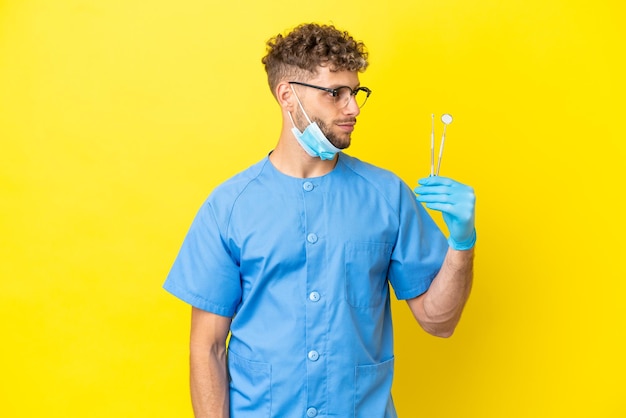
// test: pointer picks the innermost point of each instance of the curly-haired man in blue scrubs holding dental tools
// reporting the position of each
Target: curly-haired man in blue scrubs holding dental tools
(294, 255)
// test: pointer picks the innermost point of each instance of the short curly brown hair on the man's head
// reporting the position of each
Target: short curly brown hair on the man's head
(309, 46)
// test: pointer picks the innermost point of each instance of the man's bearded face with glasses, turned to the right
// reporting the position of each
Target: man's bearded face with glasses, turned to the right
(336, 123)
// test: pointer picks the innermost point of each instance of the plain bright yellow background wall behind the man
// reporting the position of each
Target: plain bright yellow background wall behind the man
(118, 117)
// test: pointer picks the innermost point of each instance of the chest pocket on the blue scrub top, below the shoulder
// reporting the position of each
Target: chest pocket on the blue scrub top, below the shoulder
(366, 266)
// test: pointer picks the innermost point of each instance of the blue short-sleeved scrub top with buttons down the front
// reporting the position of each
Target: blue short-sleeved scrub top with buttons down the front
(303, 266)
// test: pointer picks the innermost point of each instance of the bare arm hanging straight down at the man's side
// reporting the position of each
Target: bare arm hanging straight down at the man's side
(207, 363)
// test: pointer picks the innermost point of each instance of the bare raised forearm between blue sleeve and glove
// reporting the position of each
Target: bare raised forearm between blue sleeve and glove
(439, 309)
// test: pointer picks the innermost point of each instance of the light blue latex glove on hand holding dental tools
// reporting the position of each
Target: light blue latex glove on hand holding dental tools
(456, 202)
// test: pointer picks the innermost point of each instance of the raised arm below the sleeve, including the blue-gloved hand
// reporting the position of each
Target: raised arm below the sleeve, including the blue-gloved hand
(439, 309)
